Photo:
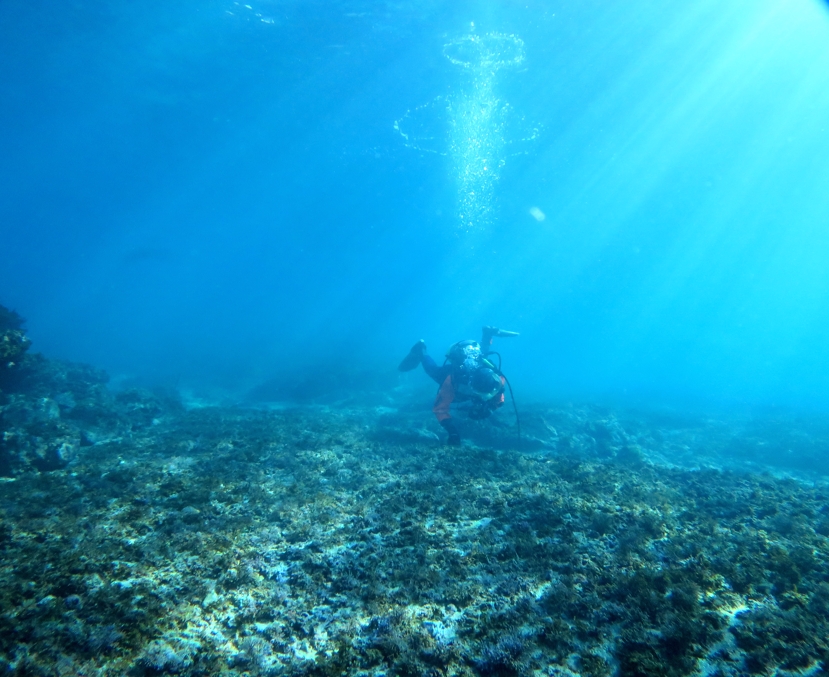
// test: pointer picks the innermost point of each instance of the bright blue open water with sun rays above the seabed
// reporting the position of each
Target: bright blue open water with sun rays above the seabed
(213, 195)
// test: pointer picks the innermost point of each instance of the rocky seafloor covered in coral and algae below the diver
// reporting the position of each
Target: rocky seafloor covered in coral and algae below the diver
(140, 537)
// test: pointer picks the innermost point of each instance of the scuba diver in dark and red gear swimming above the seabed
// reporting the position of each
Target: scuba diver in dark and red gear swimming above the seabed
(465, 376)
